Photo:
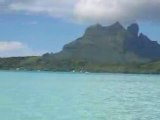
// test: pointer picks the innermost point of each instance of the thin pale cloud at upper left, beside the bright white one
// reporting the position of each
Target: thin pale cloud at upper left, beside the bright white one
(55, 8)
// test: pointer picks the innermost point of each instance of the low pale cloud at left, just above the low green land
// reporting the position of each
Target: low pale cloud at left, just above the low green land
(15, 48)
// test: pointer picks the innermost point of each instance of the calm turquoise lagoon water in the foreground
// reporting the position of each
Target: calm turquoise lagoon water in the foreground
(73, 96)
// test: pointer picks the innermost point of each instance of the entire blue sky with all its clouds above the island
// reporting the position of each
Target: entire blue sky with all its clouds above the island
(34, 27)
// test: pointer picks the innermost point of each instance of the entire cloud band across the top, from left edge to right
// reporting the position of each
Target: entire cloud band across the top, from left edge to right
(103, 11)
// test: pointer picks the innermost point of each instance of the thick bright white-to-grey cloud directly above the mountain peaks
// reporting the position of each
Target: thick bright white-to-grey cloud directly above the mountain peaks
(117, 10)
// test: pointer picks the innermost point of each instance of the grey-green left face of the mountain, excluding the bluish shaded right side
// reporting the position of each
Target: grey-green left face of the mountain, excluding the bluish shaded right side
(99, 45)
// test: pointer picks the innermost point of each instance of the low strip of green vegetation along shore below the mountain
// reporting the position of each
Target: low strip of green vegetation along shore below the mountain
(37, 63)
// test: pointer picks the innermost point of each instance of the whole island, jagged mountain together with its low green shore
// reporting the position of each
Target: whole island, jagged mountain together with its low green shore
(111, 48)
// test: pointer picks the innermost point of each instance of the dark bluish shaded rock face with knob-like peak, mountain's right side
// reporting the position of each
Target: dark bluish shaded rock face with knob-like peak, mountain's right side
(141, 45)
